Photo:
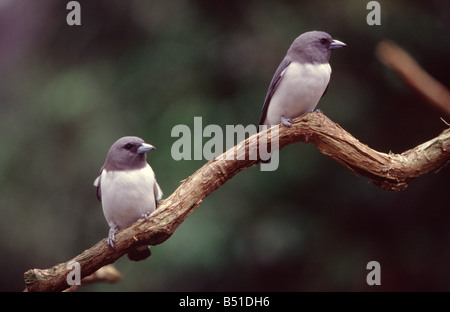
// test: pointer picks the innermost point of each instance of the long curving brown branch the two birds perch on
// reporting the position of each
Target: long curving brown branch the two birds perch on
(389, 171)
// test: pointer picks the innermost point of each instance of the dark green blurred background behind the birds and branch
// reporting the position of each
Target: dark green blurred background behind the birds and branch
(141, 67)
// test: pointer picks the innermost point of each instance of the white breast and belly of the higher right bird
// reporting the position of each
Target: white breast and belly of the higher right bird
(299, 90)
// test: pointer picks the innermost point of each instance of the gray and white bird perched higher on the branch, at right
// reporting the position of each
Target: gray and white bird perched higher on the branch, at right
(301, 79)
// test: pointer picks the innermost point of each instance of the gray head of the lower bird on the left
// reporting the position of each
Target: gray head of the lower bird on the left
(127, 153)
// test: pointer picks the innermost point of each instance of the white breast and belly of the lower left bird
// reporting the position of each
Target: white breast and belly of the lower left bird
(126, 195)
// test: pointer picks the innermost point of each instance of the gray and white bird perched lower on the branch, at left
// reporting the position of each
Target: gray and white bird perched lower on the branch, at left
(127, 188)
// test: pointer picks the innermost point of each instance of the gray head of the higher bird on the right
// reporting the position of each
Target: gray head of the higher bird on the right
(313, 47)
